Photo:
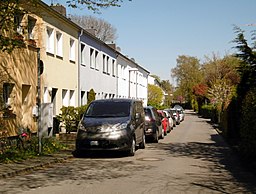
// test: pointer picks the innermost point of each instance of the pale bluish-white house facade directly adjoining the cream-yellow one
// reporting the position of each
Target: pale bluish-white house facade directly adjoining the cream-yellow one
(97, 69)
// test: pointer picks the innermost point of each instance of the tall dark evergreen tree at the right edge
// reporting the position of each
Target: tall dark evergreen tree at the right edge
(246, 92)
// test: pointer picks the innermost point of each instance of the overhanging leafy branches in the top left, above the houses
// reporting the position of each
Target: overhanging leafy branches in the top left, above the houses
(12, 12)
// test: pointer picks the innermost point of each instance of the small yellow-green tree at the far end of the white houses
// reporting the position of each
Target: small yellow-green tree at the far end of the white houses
(155, 95)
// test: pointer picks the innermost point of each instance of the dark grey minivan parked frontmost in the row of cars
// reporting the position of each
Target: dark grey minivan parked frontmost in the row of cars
(112, 124)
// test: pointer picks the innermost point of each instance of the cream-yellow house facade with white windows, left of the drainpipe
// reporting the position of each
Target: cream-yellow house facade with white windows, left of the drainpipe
(58, 52)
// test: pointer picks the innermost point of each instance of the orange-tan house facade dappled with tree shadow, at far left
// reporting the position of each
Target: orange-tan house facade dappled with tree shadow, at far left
(19, 89)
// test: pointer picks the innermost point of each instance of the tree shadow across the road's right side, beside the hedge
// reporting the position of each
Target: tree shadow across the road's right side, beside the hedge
(221, 158)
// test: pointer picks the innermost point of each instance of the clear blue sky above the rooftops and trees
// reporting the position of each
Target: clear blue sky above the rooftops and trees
(156, 32)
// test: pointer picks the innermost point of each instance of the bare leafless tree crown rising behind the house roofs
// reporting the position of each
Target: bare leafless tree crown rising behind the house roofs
(102, 29)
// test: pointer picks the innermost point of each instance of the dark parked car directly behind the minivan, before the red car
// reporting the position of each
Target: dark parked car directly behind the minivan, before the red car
(153, 124)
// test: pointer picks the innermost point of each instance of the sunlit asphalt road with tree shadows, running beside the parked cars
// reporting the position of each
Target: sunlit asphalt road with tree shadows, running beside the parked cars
(193, 158)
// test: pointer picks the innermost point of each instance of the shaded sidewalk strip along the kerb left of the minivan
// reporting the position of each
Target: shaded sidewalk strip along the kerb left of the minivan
(13, 169)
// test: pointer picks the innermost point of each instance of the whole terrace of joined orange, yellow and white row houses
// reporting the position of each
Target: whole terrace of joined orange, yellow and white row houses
(59, 66)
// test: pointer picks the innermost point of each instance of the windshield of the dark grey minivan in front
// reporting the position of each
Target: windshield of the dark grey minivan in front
(108, 109)
